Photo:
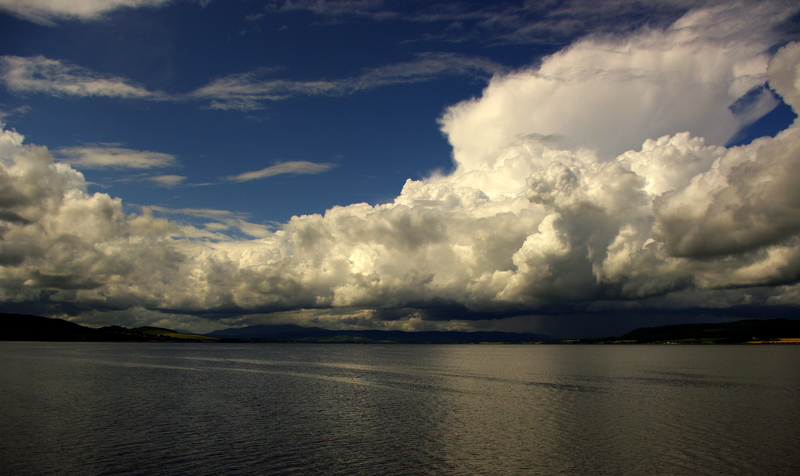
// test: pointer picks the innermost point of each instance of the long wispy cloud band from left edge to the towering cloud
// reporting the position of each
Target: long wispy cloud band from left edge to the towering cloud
(240, 91)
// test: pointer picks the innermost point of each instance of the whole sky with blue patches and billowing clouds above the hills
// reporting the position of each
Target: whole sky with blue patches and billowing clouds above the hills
(573, 168)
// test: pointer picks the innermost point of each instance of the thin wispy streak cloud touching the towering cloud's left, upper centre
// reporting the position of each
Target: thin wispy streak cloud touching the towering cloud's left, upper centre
(246, 91)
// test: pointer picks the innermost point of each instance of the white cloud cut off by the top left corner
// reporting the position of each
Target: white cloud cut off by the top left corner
(46, 12)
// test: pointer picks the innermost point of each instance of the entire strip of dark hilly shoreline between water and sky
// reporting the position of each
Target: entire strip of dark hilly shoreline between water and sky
(17, 327)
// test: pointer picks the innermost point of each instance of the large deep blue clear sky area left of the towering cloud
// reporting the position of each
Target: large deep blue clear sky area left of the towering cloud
(374, 128)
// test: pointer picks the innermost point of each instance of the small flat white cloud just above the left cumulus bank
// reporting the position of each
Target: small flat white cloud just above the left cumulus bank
(108, 156)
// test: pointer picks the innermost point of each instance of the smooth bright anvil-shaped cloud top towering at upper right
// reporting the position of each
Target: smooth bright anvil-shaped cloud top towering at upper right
(648, 84)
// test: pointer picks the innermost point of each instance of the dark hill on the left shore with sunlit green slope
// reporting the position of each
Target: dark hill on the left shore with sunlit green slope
(37, 328)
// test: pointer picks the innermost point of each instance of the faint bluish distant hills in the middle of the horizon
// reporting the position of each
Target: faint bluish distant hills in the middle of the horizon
(293, 333)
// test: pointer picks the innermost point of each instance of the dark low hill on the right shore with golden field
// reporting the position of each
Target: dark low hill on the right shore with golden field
(738, 332)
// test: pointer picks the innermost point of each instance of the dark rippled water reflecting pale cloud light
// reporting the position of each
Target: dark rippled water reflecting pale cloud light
(94, 408)
